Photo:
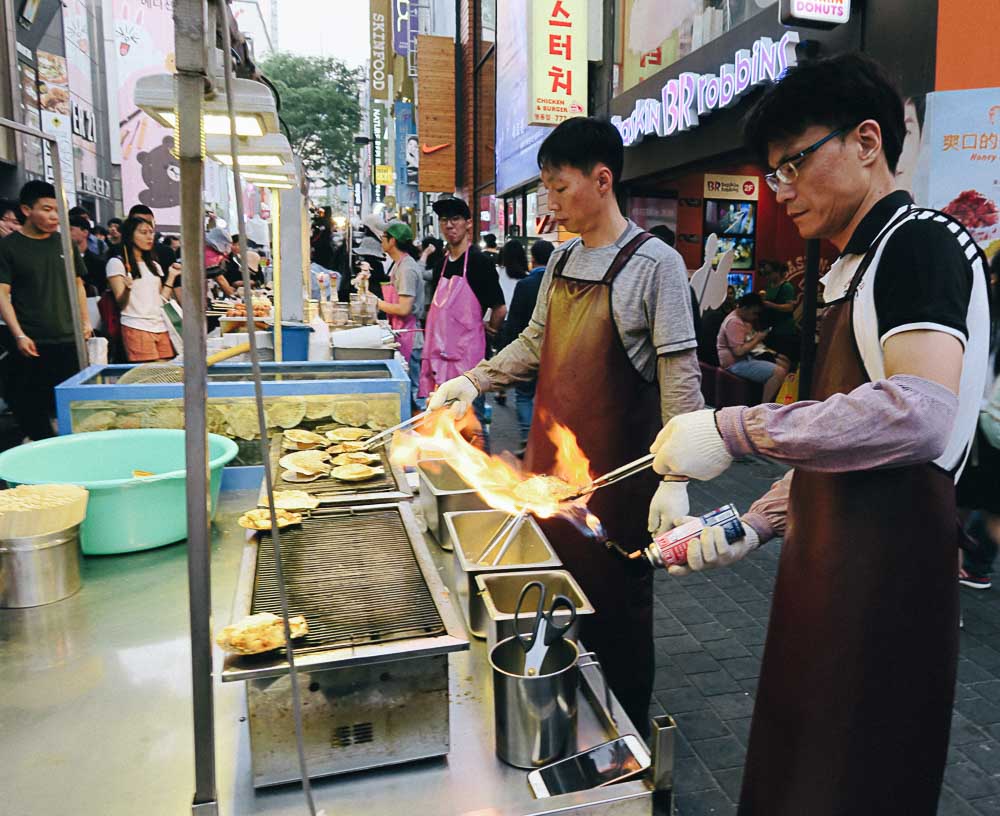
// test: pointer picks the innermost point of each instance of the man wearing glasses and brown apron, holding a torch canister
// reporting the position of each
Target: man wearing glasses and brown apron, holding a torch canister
(853, 708)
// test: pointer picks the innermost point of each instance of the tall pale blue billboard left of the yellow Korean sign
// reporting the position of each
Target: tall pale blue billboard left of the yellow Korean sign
(517, 142)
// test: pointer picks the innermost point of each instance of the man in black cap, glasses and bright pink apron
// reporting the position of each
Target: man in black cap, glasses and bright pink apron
(468, 286)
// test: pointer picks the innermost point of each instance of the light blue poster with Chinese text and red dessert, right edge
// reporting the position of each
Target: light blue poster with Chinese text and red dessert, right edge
(951, 159)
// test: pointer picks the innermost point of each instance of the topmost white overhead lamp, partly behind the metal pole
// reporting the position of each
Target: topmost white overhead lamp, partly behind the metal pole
(254, 105)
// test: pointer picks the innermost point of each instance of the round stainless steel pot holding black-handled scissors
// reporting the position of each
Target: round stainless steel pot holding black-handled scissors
(535, 715)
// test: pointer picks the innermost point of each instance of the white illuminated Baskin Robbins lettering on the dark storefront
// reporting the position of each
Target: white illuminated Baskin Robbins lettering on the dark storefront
(684, 99)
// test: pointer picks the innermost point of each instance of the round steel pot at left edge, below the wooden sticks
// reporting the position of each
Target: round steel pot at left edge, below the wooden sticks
(38, 570)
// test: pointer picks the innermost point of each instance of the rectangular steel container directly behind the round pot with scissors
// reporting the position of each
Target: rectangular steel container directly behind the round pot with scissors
(501, 591)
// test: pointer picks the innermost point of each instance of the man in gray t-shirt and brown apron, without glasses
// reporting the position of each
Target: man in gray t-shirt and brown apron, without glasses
(613, 345)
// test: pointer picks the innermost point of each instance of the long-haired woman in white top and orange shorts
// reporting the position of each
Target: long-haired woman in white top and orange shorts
(140, 289)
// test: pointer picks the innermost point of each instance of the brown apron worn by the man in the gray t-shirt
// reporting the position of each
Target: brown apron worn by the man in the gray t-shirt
(587, 382)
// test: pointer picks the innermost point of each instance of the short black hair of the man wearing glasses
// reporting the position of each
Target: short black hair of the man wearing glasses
(837, 92)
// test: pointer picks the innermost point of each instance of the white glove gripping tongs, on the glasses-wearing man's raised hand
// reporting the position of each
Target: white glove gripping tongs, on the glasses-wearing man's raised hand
(690, 445)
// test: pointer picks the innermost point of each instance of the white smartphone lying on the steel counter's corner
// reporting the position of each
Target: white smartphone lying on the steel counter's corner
(604, 764)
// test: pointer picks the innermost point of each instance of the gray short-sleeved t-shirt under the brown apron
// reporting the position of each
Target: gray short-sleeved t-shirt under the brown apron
(650, 301)
